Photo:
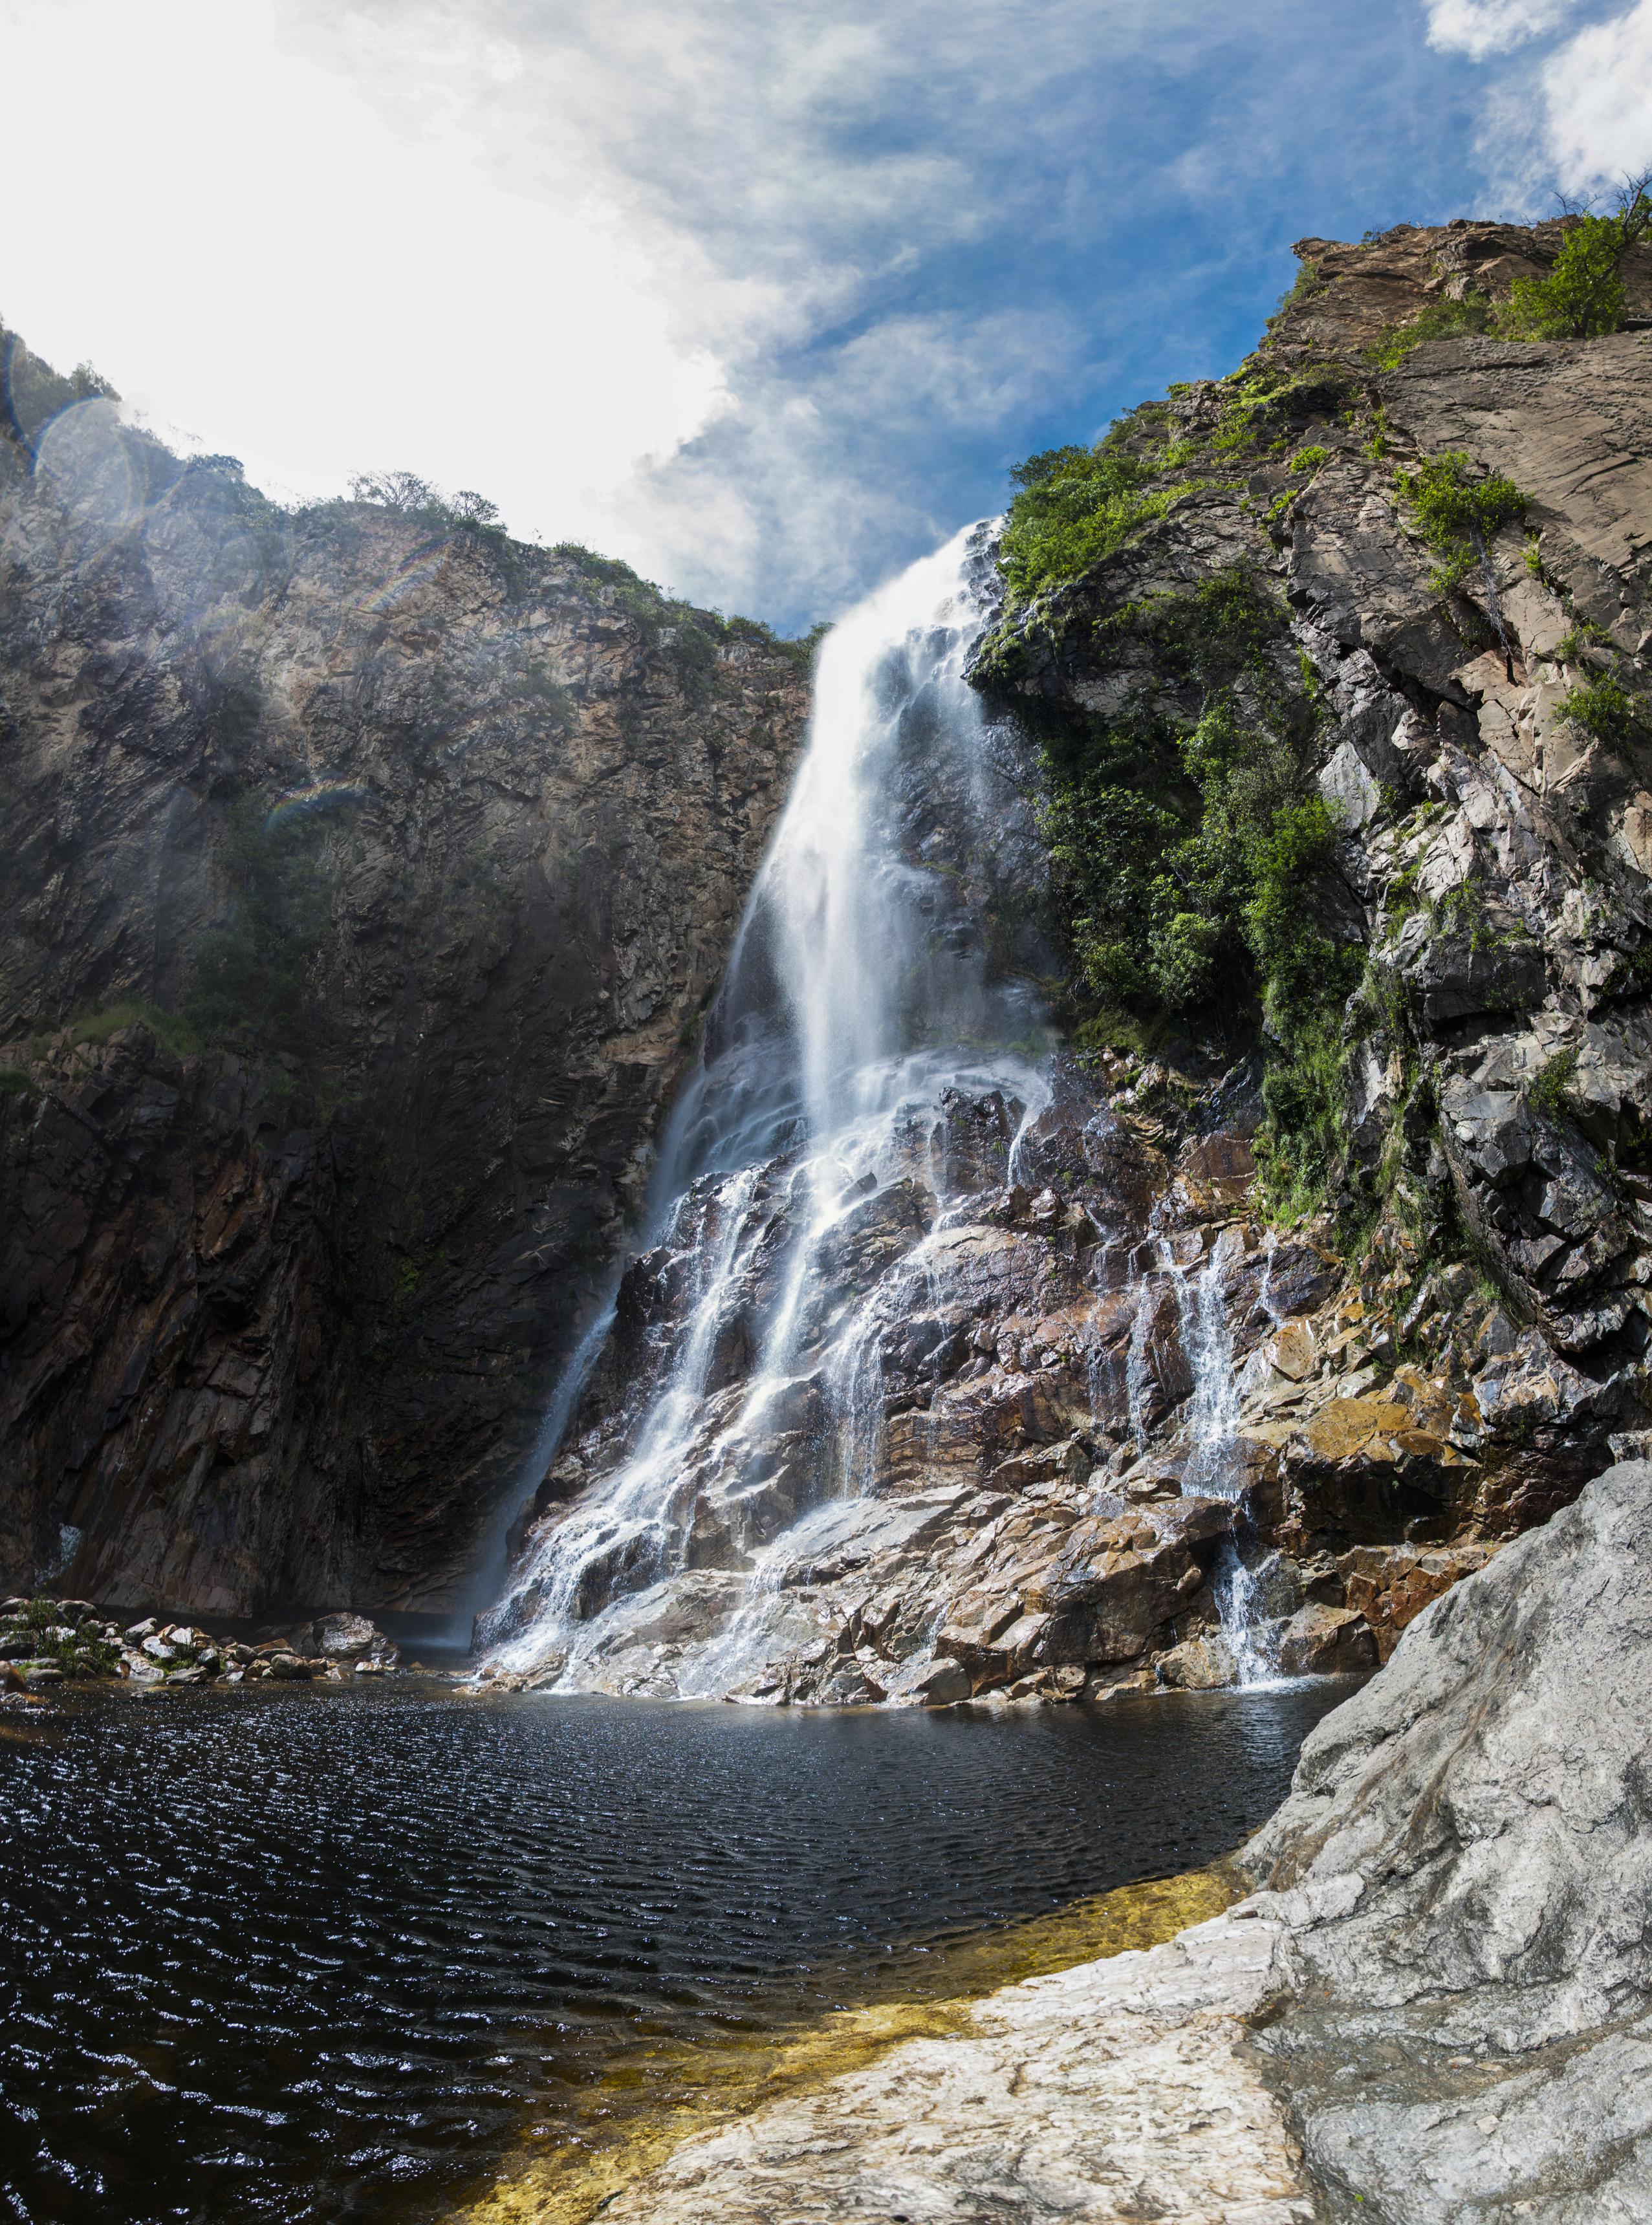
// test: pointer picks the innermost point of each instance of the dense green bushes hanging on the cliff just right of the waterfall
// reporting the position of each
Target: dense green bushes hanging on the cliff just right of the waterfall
(1190, 849)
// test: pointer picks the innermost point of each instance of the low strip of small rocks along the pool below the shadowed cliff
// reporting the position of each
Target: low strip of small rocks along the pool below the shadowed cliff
(48, 1643)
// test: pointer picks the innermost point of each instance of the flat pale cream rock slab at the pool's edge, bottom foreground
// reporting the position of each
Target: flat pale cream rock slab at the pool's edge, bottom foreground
(1112, 2093)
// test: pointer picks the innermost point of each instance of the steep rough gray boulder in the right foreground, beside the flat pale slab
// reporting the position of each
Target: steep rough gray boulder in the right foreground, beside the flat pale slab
(1466, 1879)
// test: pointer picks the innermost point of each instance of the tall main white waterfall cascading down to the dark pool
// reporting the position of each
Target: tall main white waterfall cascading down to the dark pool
(856, 1007)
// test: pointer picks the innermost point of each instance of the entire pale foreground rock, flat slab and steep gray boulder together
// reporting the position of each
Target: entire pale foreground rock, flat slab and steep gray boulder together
(1435, 2013)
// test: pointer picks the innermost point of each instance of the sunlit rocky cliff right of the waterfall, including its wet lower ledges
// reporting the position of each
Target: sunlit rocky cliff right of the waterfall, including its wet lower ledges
(1324, 1269)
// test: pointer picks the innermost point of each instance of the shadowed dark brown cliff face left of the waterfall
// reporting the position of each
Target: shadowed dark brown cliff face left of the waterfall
(366, 876)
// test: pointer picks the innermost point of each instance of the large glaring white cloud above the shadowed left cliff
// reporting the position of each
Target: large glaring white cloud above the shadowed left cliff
(250, 250)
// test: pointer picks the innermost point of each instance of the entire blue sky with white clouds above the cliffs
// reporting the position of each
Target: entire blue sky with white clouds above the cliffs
(760, 295)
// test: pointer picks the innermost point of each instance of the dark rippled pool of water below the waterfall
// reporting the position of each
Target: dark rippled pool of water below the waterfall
(324, 1955)
